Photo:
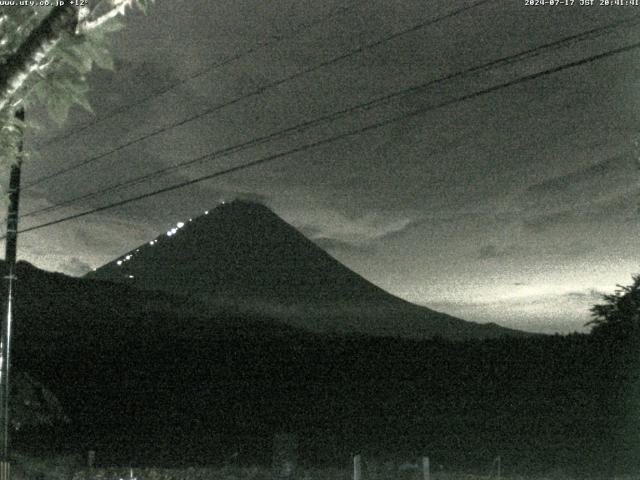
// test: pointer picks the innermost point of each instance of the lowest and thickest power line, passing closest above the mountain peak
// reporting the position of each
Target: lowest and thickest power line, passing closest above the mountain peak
(341, 136)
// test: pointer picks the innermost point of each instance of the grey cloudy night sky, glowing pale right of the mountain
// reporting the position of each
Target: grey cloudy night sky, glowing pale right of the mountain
(519, 206)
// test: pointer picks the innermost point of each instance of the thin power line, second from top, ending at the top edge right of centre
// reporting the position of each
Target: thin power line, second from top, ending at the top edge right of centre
(254, 93)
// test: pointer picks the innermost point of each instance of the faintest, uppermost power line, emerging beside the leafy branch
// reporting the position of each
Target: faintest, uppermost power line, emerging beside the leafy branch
(199, 73)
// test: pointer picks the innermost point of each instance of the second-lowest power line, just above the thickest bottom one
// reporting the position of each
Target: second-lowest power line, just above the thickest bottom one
(507, 60)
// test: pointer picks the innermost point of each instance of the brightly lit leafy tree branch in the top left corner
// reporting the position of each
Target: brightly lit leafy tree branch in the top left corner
(52, 73)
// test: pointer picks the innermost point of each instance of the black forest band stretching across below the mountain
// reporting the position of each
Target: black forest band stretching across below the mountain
(143, 387)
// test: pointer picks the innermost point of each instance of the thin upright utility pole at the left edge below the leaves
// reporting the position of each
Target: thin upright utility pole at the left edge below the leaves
(5, 338)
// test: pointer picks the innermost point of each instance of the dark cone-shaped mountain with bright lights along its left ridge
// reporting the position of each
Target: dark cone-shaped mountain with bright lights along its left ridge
(242, 256)
